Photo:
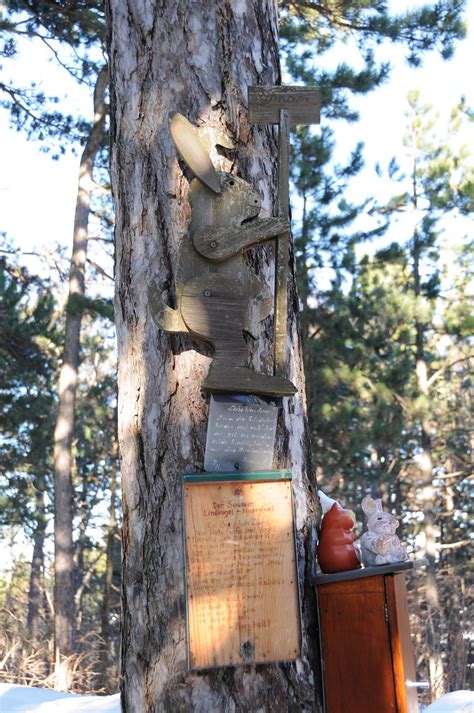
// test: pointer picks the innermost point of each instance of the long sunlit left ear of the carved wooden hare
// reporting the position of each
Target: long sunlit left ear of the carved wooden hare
(191, 149)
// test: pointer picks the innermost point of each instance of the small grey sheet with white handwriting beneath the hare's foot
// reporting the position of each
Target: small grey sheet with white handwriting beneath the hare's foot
(240, 434)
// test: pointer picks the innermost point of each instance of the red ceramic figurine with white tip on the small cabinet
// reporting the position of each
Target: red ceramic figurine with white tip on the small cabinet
(336, 550)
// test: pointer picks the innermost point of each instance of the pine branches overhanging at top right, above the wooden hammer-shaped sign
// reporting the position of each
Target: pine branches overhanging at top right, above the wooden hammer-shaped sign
(310, 30)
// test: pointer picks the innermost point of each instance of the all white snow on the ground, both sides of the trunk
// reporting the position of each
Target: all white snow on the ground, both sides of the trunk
(25, 699)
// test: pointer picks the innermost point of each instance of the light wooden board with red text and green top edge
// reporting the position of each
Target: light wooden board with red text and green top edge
(241, 583)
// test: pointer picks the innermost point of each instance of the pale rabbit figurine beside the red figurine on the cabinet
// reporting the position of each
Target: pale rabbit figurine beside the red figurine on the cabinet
(380, 545)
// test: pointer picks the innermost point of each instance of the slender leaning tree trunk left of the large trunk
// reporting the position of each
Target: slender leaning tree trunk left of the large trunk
(64, 615)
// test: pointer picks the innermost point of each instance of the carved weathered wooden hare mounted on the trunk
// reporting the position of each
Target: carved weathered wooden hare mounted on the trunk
(219, 296)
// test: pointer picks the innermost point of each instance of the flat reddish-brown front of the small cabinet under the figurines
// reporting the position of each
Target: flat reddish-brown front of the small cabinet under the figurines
(357, 658)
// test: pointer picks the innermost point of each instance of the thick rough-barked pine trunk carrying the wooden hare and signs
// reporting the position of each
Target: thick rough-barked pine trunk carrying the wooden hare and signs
(197, 58)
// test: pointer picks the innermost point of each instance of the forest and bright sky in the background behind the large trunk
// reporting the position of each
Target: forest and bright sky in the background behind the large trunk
(383, 249)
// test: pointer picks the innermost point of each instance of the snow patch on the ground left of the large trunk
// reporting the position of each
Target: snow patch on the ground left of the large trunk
(26, 699)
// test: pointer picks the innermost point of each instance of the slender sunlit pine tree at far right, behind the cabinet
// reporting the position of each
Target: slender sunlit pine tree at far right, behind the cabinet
(441, 180)
